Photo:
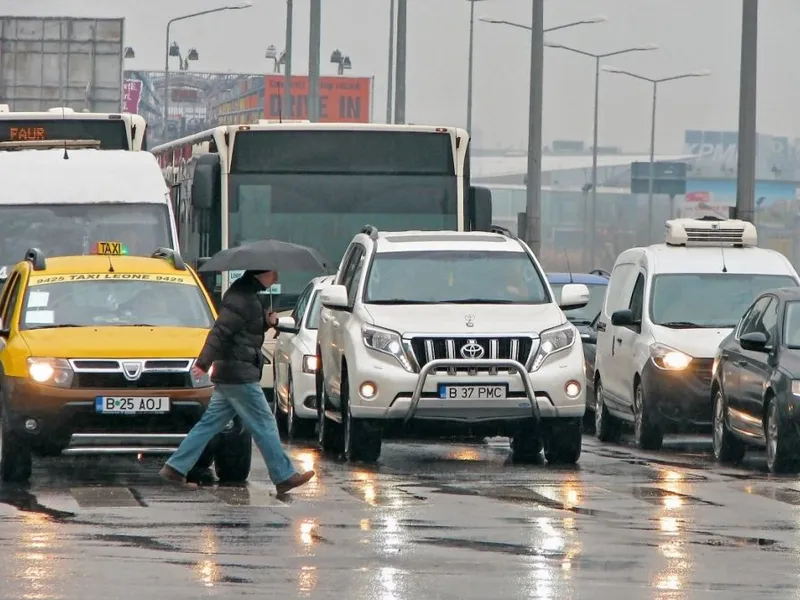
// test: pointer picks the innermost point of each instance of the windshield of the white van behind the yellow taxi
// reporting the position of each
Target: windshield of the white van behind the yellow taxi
(72, 229)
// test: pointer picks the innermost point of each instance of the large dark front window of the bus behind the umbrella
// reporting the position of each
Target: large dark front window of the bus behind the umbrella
(319, 188)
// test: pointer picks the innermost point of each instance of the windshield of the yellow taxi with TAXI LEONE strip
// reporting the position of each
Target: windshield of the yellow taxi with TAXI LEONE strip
(118, 301)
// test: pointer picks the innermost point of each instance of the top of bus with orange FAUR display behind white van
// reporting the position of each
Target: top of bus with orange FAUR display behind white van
(107, 131)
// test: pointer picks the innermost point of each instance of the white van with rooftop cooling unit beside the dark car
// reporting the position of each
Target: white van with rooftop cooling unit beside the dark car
(667, 308)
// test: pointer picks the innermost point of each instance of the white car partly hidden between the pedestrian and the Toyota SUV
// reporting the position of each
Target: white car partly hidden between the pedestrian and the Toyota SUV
(295, 364)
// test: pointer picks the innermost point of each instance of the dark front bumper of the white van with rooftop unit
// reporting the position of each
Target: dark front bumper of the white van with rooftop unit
(682, 399)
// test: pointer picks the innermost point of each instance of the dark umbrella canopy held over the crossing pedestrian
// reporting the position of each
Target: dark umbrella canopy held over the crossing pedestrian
(267, 255)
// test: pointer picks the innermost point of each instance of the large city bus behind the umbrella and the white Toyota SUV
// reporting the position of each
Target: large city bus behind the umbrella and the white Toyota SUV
(316, 184)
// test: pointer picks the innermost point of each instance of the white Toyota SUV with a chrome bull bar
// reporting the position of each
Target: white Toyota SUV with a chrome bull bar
(444, 332)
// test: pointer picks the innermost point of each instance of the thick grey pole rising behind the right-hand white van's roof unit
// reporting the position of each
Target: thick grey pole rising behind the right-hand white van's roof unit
(748, 80)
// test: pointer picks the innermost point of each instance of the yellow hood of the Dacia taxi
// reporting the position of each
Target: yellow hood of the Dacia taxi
(115, 342)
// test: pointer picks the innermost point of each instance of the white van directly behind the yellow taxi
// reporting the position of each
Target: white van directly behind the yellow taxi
(63, 201)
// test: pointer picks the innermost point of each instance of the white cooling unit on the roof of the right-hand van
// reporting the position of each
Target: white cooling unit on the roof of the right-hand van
(711, 231)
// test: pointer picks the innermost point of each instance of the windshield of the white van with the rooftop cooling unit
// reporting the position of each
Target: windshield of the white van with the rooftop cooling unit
(706, 299)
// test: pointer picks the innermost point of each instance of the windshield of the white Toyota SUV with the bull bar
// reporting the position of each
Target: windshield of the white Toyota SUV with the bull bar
(468, 277)
